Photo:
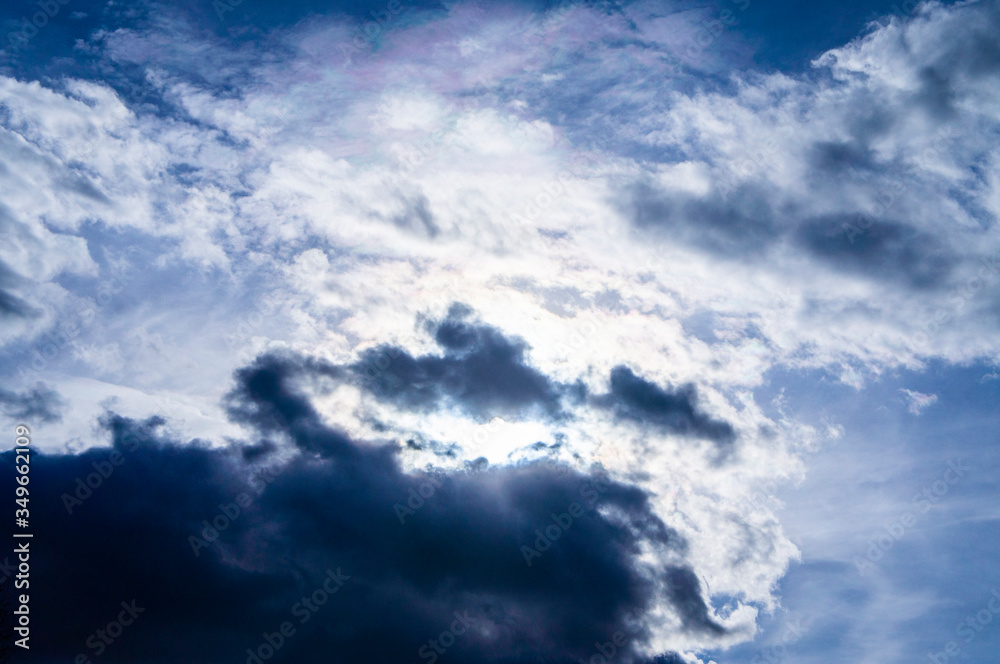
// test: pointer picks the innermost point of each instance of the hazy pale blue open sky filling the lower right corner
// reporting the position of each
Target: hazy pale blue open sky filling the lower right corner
(887, 455)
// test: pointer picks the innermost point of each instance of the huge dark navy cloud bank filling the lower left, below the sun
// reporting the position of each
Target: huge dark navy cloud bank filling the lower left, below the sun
(330, 504)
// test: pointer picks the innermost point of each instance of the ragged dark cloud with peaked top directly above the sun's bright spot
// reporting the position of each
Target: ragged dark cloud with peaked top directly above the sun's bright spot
(480, 370)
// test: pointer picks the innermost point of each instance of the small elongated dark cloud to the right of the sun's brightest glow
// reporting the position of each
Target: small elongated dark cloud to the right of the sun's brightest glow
(670, 409)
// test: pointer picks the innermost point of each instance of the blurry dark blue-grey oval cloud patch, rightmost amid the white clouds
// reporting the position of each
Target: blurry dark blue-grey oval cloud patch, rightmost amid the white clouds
(886, 250)
